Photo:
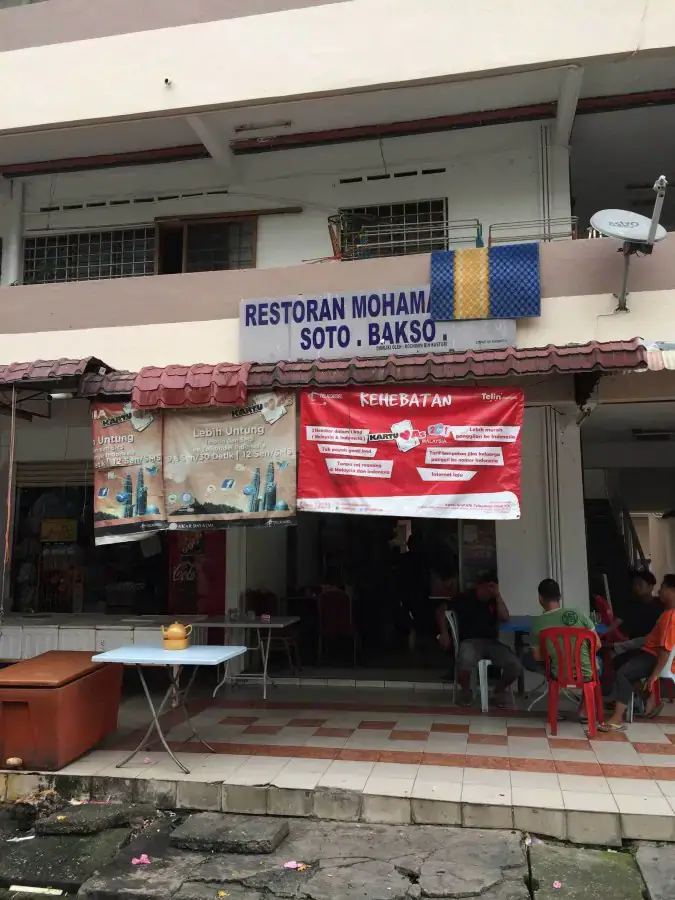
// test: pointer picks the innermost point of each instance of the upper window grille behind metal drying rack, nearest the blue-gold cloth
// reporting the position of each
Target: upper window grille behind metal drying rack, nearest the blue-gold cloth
(394, 229)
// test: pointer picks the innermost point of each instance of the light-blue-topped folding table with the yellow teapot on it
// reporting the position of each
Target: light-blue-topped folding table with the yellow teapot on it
(173, 660)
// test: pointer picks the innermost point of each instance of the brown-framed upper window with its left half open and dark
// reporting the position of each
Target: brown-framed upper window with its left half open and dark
(214, 246)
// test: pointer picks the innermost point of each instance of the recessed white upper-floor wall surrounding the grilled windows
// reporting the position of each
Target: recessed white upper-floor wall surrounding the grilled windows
(491, 174)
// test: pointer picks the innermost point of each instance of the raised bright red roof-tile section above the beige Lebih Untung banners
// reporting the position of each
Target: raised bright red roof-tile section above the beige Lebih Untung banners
(198, 386)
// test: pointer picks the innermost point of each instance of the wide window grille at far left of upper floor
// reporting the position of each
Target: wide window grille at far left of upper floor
(89, 256)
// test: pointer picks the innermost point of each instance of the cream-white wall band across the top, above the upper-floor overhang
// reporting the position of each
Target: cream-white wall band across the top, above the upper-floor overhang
(342, 47)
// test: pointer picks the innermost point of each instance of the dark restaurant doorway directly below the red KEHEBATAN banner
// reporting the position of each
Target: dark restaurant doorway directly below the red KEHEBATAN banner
(366, 588)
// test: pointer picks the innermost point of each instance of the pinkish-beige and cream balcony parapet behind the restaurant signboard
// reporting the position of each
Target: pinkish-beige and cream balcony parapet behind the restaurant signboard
(194, 317)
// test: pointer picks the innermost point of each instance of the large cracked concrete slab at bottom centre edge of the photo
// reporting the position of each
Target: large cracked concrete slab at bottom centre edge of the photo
(366, 862)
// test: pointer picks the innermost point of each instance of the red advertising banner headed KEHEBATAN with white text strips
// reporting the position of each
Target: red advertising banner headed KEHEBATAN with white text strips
(446, 452)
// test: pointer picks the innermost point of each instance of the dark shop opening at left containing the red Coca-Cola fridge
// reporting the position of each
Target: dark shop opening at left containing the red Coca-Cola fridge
(57, 568)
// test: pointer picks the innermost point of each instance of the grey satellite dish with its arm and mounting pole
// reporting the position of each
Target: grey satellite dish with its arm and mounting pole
(638, 233)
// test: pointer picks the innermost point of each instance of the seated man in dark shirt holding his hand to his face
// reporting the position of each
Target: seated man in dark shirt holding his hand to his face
(479, 613)
